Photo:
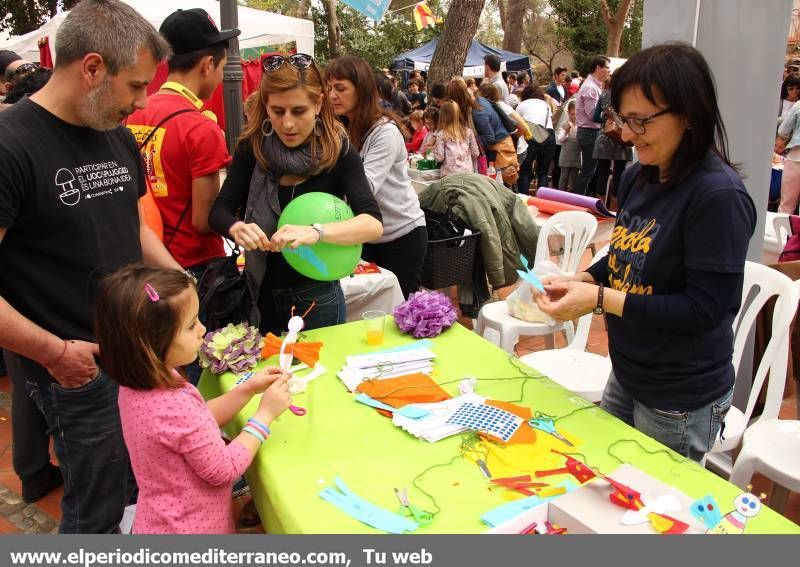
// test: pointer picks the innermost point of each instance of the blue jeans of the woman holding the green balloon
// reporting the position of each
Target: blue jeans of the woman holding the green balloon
(276, 306)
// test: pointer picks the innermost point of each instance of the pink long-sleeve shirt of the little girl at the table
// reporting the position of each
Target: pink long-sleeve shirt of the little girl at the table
(184, 470)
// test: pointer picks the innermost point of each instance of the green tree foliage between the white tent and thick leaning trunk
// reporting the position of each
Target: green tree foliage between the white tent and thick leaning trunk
(377, 42)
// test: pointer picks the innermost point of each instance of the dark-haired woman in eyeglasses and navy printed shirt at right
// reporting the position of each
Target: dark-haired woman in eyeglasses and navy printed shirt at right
(671, 283)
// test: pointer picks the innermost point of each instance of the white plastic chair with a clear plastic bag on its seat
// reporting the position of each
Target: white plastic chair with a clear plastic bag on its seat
(577, 228)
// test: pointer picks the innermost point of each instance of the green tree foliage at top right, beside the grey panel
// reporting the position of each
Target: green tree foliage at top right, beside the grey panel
(580, 24)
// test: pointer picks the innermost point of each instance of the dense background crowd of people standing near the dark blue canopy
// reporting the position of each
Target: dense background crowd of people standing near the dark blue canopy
(506, 111)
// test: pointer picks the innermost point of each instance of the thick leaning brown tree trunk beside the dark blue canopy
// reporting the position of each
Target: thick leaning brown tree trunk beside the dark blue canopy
(460, 26)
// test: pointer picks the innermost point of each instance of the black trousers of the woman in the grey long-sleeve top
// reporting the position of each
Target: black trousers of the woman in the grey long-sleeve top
(403, 256)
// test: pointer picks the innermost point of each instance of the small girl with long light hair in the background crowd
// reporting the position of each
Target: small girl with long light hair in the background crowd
(455, 146)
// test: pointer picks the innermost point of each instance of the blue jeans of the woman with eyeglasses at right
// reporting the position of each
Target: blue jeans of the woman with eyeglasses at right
(690, 433)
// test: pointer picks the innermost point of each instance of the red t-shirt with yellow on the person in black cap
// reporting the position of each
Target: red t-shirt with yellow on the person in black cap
(188, 146)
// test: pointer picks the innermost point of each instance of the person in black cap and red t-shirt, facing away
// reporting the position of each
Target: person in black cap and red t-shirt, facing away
(187, 148)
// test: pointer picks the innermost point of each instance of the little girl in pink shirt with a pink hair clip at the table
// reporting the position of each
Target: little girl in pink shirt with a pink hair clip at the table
(147, 327)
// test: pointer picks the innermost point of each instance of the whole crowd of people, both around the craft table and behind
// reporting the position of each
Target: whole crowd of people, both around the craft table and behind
(104, 361)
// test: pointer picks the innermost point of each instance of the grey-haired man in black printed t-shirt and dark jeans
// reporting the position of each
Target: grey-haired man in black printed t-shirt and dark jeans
(70, 179)
